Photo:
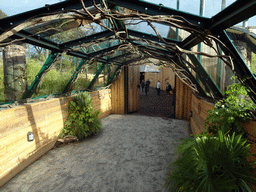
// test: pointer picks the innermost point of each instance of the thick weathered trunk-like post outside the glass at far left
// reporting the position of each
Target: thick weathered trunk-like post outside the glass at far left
(15, 80)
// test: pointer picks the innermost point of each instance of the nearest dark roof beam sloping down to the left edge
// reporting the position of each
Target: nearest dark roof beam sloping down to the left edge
(9, 22)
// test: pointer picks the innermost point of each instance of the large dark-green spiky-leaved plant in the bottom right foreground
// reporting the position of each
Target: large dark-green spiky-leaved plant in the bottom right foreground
(212, 163)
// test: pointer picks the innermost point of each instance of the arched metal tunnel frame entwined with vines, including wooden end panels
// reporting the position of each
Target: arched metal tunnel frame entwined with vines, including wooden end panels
(122, 49)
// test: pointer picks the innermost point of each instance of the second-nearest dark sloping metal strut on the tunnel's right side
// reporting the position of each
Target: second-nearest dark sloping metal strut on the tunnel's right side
(204, 77)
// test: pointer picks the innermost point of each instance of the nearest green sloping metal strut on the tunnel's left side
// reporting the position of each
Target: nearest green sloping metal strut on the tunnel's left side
(38, 80)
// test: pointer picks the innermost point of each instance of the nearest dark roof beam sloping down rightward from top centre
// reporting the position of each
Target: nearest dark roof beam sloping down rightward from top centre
(154, 9)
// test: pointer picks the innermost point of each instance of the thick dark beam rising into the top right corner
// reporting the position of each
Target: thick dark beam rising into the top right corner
(237, 12)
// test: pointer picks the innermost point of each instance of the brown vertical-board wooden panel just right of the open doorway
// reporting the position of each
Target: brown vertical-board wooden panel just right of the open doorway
(183, 100)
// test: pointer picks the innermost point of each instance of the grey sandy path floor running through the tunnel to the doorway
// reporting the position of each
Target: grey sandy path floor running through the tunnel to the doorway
(131, 153)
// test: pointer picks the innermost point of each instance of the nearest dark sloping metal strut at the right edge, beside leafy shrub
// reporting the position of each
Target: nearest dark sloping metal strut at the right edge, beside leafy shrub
(240, 67)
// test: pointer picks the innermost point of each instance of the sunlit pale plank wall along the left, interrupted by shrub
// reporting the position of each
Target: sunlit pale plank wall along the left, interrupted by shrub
(45, 119)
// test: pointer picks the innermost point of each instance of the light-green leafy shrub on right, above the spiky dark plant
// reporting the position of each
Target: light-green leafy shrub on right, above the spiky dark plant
(230, 113)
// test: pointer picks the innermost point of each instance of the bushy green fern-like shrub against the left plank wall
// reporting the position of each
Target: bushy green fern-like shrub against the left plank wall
(82, 120)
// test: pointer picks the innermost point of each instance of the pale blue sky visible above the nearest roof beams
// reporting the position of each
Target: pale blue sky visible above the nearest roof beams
(12, 7)
